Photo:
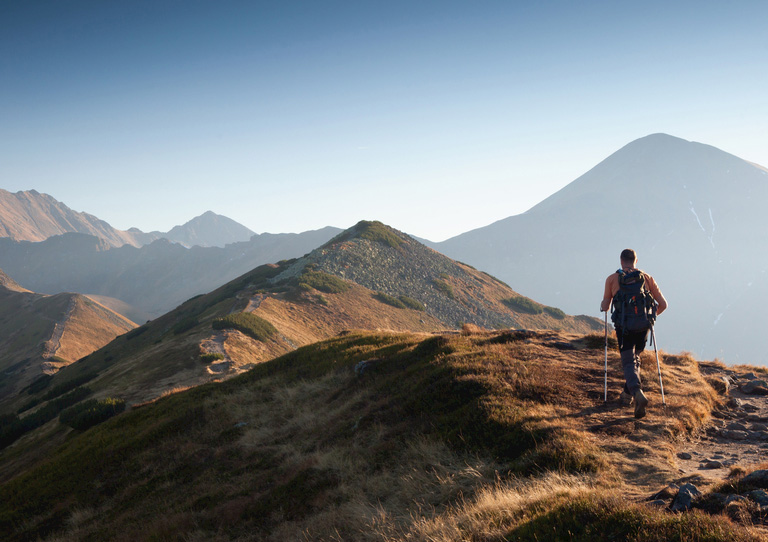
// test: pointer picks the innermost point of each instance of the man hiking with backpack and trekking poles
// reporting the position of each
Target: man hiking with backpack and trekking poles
(636, 301)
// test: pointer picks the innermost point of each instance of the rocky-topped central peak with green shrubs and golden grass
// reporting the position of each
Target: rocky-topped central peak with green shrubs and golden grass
(367, 277)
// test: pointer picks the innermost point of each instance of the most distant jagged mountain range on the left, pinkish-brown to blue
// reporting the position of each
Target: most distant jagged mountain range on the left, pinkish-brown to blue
(32, 216)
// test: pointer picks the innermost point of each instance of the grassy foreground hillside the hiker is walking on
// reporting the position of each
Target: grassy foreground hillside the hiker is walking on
(389, 437)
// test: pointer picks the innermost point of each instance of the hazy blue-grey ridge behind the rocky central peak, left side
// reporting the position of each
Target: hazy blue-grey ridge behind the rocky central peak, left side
(152, 279)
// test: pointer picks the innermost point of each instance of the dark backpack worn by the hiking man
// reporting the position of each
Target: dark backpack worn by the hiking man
(634, 308)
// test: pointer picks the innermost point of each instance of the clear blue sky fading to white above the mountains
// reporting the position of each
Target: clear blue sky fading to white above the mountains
(435, 117)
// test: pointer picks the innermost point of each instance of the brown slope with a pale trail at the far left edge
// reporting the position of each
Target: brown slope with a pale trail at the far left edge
(40, 334)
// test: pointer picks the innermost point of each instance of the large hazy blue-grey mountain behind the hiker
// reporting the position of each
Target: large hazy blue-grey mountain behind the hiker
(696, 217)
